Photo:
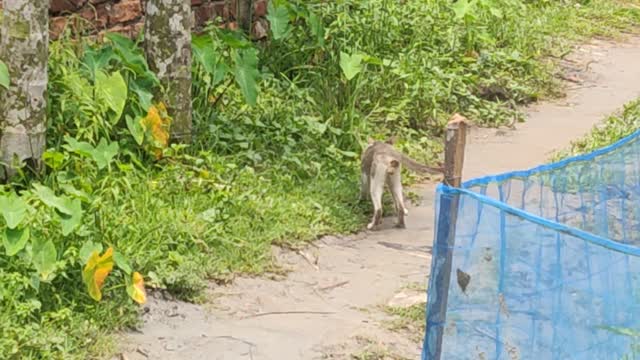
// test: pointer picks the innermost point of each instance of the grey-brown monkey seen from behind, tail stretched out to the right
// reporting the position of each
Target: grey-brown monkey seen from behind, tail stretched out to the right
(382, 164)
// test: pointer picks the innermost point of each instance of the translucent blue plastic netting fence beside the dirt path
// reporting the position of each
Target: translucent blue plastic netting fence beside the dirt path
(548, 259)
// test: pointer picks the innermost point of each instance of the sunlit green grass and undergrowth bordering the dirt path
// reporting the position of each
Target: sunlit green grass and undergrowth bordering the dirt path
(281, 172)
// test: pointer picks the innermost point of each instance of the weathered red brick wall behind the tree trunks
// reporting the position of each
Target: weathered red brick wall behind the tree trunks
(127, 16)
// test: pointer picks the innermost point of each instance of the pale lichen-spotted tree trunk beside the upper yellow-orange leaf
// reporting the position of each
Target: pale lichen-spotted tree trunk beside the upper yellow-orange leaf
(168, 47)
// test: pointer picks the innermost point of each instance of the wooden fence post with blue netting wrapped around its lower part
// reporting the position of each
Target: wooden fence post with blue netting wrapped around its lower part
(455, 141)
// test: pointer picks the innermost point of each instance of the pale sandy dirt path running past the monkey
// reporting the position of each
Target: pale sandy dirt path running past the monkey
(329, 305)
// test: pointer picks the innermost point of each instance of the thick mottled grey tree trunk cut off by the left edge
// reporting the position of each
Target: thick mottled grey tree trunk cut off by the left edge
(24, 47)
